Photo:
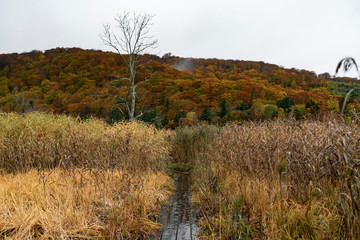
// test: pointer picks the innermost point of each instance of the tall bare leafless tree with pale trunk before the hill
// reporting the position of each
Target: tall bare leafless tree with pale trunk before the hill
(131, 41)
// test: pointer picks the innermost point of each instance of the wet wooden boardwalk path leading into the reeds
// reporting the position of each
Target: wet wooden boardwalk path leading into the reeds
(179, 216)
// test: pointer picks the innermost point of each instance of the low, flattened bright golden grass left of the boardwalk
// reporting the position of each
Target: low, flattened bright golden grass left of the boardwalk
(78, 204)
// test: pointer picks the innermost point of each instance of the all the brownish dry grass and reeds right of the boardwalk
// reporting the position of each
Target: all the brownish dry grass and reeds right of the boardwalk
(281, 180)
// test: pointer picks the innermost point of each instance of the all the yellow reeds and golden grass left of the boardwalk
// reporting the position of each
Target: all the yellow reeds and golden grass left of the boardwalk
(67, 179)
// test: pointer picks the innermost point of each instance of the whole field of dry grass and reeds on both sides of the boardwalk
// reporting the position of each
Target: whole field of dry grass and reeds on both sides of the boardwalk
(284, 179)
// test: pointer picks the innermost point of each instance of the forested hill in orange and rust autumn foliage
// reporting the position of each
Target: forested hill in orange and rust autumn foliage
(83, 82)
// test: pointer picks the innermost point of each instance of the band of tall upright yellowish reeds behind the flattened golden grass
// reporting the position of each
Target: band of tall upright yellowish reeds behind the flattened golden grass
(46, 141)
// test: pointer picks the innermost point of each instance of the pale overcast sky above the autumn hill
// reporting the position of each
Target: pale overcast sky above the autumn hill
(304, 34)
